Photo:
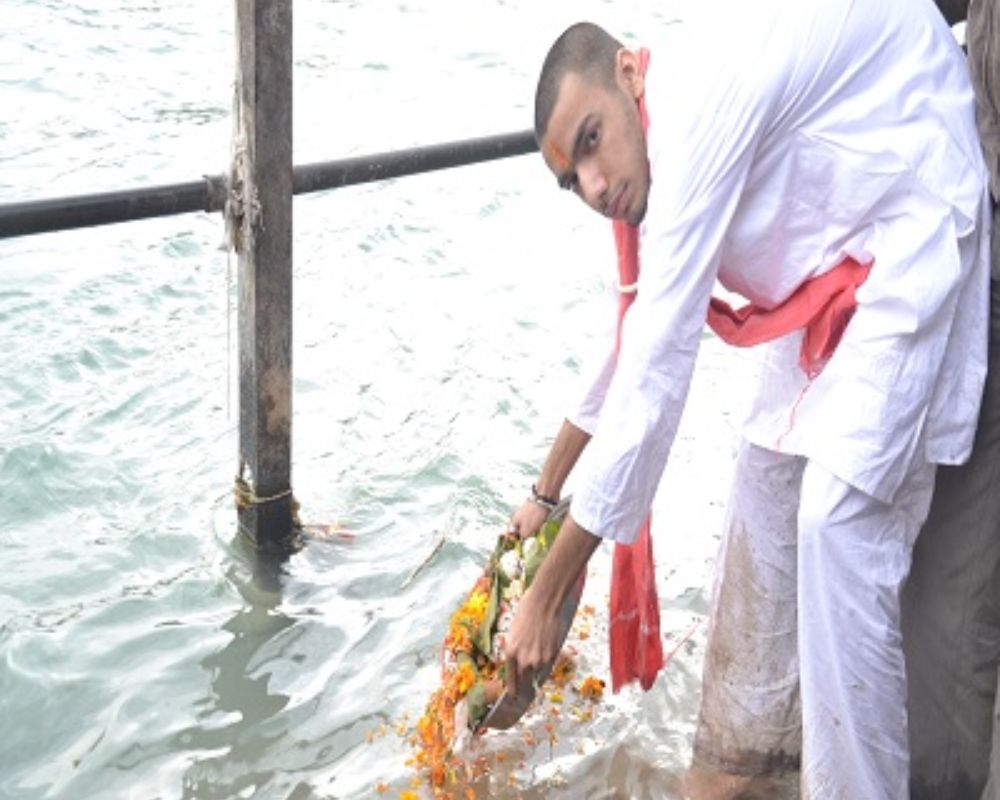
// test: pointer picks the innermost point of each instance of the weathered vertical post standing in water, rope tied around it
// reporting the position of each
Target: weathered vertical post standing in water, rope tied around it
(263, 188)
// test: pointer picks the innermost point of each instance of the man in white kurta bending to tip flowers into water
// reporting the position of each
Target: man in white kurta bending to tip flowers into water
(783, 136)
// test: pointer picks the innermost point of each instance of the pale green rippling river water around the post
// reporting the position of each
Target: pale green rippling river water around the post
(440, 325)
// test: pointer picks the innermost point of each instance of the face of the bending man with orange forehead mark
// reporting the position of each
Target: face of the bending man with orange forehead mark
(595, 145)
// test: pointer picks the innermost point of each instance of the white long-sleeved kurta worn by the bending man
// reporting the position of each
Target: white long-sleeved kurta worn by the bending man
(794, 133)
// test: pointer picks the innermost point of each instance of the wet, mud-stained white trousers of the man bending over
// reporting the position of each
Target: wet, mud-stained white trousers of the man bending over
(804, 656)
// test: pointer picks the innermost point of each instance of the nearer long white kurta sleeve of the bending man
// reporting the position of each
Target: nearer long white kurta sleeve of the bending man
(700, 155)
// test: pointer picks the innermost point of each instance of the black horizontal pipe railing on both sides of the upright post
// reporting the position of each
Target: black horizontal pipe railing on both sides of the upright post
(209, 194)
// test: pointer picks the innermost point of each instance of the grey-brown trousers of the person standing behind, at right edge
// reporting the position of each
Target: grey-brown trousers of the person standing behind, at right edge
(951, 612)
